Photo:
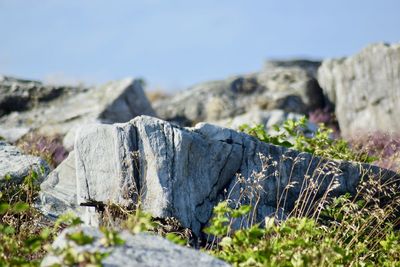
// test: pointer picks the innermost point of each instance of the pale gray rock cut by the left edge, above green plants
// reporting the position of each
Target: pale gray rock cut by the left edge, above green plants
(15, 164)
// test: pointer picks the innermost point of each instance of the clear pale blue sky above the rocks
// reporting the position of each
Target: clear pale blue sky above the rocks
(176, 43)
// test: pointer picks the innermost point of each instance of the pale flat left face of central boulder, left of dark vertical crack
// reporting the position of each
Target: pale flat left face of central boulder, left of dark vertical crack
(105, 166)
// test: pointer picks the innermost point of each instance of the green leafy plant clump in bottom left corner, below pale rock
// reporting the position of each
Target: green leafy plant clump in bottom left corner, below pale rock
(23, 230)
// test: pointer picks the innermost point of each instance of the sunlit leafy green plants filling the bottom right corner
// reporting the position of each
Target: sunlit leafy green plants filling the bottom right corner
(301, 241)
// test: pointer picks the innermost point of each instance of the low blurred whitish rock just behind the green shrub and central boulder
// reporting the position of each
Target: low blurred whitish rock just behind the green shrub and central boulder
(268, 118)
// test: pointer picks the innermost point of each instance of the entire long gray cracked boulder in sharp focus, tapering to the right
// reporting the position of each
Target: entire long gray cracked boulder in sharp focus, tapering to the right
(183, 172)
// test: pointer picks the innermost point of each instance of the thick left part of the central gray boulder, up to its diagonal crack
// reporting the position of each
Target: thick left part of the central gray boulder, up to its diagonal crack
(179, 173)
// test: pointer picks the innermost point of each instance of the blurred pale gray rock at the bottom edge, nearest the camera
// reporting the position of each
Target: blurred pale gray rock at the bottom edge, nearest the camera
(141, 250)
